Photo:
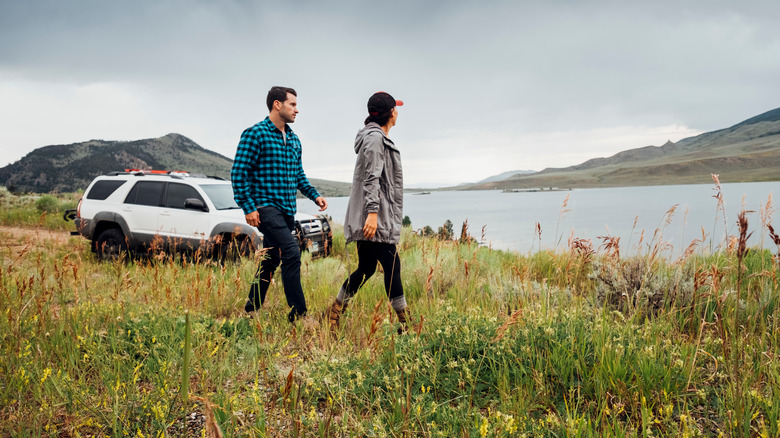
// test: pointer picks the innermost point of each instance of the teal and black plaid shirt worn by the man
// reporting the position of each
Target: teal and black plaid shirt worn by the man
(268, 172)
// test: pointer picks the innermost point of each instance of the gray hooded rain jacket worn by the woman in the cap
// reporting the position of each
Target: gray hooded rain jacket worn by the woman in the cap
(377, 186)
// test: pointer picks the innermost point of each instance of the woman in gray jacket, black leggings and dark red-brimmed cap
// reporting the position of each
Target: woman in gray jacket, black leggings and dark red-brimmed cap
(375, 209)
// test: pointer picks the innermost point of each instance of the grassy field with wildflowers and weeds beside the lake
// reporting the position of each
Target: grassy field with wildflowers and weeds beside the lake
(583, 341)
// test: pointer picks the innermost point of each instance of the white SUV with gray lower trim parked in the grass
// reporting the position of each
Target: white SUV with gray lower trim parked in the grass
(141, 211)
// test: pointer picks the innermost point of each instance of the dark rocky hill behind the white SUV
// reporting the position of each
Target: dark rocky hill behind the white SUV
(67, 168)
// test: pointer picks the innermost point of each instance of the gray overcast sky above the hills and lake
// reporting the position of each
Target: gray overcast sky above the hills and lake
(489, 86)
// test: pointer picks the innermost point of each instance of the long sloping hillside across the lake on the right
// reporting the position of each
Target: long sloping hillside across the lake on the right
(747, 151)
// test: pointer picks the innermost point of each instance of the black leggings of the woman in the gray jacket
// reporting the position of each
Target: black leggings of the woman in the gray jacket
(368, 254)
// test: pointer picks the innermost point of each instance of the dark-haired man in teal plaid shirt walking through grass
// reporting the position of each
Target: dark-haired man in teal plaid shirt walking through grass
(266, 174)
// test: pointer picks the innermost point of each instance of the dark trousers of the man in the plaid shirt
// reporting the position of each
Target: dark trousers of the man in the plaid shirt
(282, 248)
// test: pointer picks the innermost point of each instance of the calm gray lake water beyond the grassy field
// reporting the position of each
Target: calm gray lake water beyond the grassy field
(509, 219)
